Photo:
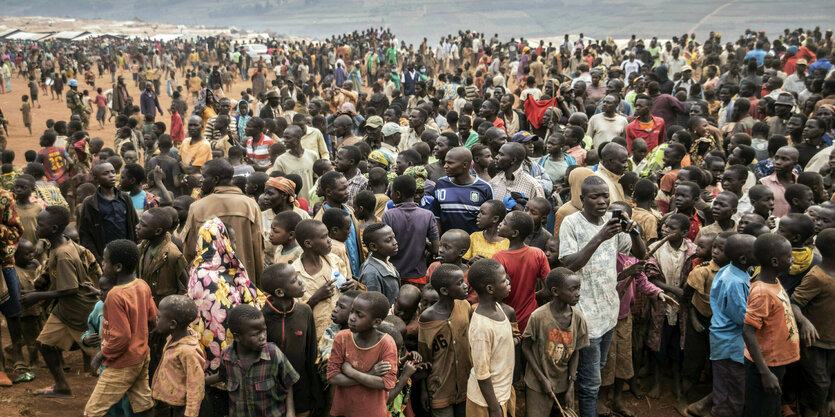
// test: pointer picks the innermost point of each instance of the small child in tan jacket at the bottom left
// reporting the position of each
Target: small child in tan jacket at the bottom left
(179, 379)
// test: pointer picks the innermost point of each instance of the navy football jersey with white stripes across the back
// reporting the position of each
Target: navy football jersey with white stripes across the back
(456, 206)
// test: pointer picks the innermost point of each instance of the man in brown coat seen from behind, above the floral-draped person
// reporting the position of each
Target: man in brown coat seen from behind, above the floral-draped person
(230, 205)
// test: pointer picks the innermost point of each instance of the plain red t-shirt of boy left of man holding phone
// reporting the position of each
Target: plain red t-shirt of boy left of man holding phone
(523, 266)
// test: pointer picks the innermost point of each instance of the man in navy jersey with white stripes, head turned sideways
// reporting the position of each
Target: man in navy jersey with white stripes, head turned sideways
(459, 194)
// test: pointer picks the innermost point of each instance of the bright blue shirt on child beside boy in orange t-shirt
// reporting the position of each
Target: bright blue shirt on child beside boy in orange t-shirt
(728, 300)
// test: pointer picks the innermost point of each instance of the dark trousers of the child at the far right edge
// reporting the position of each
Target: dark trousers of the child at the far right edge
(817, 366)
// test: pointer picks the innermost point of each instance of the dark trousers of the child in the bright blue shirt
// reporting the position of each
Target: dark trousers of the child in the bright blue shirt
(728, 388)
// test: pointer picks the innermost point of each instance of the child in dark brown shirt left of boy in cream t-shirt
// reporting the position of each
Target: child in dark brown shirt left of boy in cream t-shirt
(443, 342)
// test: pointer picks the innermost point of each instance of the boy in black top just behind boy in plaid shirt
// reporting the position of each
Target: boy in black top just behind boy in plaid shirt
(291, 328)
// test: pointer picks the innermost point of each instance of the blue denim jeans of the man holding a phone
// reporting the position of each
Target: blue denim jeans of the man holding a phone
(592, 361)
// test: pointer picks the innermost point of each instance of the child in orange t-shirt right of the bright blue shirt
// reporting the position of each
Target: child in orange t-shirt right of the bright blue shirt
(770, 331)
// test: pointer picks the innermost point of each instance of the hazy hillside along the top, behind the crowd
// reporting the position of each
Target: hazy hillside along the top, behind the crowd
(412, 20)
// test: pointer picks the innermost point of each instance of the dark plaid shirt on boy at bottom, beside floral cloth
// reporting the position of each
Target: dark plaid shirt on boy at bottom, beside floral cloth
(261, 390)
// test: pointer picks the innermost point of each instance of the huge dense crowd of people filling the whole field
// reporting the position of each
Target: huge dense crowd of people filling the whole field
(476, 228)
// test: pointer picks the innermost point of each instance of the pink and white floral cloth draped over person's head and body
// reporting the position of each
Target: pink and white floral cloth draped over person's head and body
(217, 283)
